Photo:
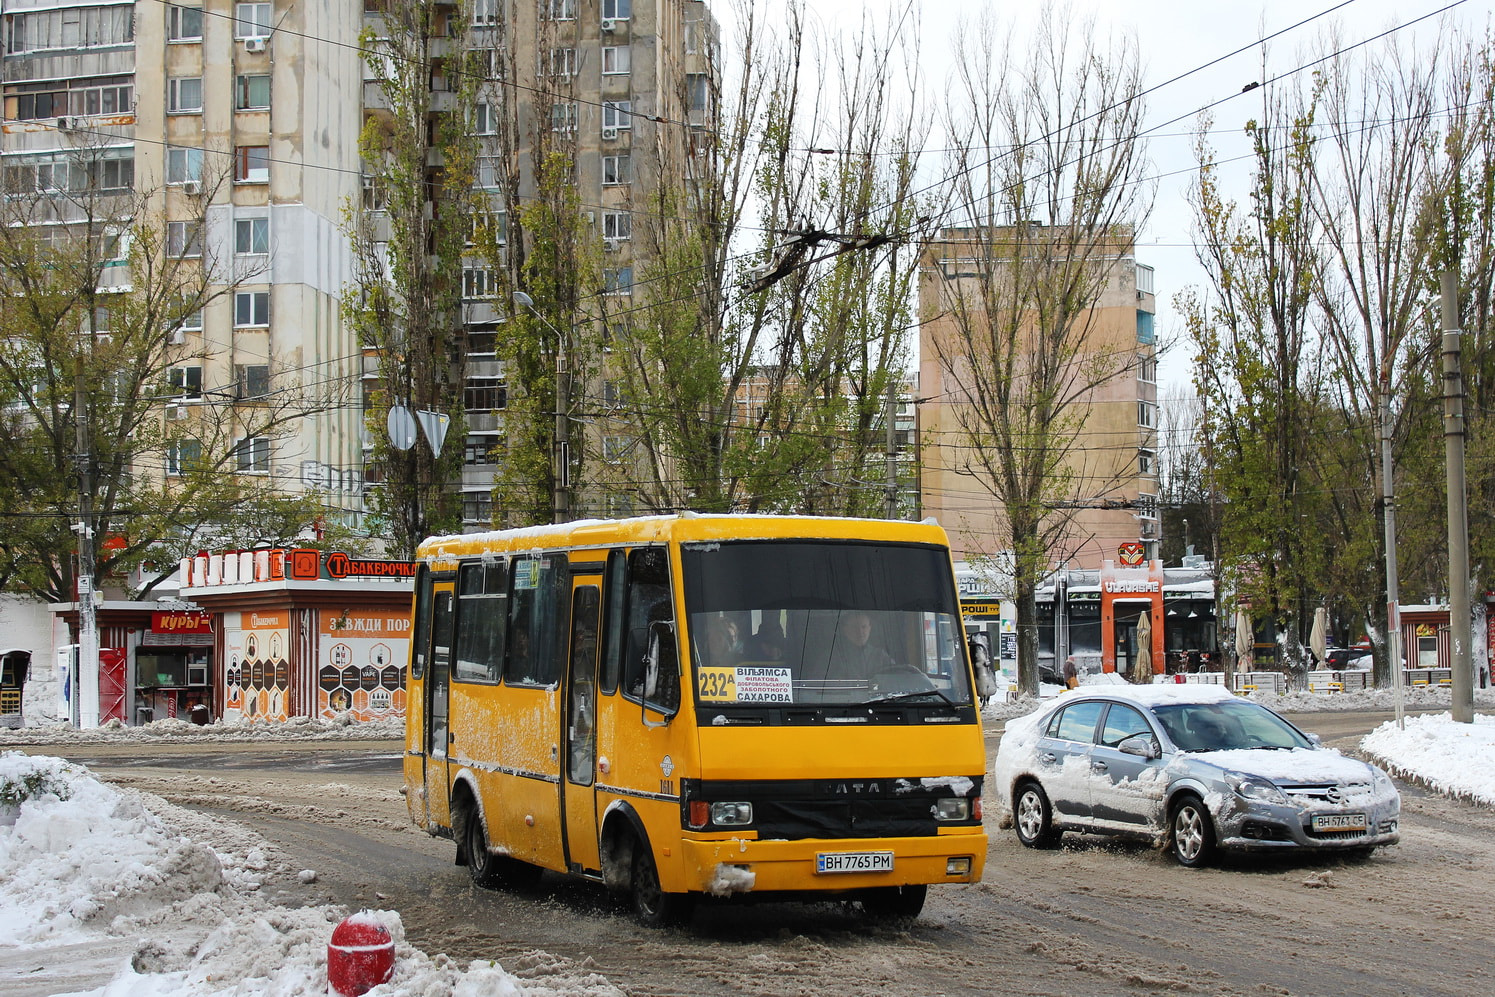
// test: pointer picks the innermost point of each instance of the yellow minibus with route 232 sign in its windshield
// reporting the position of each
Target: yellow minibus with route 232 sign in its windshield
(699, 706)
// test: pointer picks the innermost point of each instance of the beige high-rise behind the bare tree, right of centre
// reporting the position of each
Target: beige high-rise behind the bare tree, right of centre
(1110, 385)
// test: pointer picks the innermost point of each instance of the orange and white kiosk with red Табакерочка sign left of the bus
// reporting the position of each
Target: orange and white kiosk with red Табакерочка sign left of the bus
(304, 635)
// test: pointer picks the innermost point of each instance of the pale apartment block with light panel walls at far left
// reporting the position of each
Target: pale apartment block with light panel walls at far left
(235, 123)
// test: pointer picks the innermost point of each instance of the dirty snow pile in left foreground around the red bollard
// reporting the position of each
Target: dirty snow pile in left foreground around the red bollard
(125, 881)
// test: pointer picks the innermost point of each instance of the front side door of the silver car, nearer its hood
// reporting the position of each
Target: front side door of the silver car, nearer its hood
(1126, 791)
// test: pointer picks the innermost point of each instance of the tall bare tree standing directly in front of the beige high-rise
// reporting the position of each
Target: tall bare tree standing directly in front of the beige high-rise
(1049, 189)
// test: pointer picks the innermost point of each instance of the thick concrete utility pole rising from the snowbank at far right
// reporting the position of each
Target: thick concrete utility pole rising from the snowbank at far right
(1460, 638)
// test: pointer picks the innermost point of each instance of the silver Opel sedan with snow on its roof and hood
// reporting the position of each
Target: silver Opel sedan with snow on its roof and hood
(1186, 766)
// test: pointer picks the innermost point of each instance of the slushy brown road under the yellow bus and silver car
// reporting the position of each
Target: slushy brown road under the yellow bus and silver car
(1094, 919)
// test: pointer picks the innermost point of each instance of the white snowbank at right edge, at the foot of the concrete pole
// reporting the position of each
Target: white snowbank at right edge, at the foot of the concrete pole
(1452, 759)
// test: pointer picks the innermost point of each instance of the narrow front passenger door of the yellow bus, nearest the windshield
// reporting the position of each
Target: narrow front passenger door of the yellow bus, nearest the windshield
(581, 730)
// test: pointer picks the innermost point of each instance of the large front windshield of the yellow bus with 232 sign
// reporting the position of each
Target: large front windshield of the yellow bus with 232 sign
(823, 623)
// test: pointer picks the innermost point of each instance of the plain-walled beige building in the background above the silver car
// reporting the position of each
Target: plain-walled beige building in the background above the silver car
(1113, 497)
